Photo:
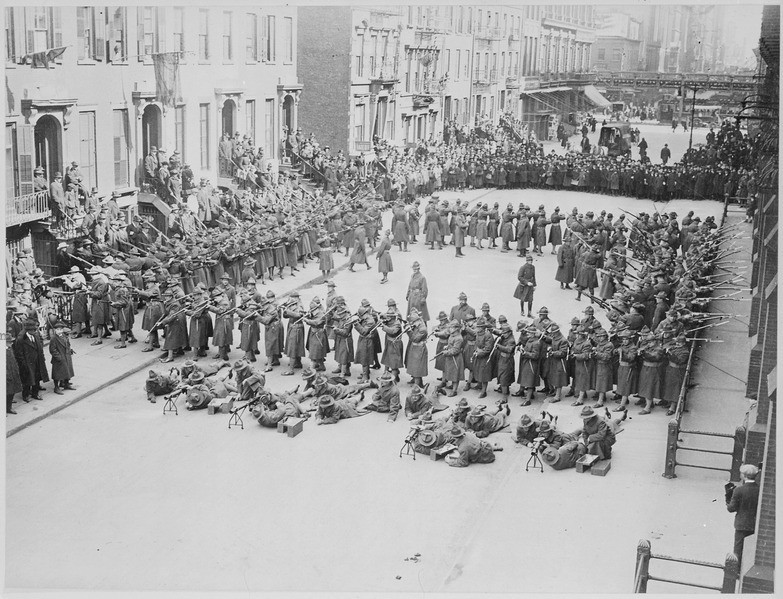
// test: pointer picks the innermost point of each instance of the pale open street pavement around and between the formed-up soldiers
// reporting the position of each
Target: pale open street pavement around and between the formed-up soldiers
(110, 493)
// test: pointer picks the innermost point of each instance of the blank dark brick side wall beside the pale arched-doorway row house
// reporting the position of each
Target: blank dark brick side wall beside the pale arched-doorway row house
(324, 68)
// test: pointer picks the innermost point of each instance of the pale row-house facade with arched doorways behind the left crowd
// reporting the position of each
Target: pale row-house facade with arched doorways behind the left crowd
(81, 86)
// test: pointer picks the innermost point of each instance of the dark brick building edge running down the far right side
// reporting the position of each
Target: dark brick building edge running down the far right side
(758, 574)
